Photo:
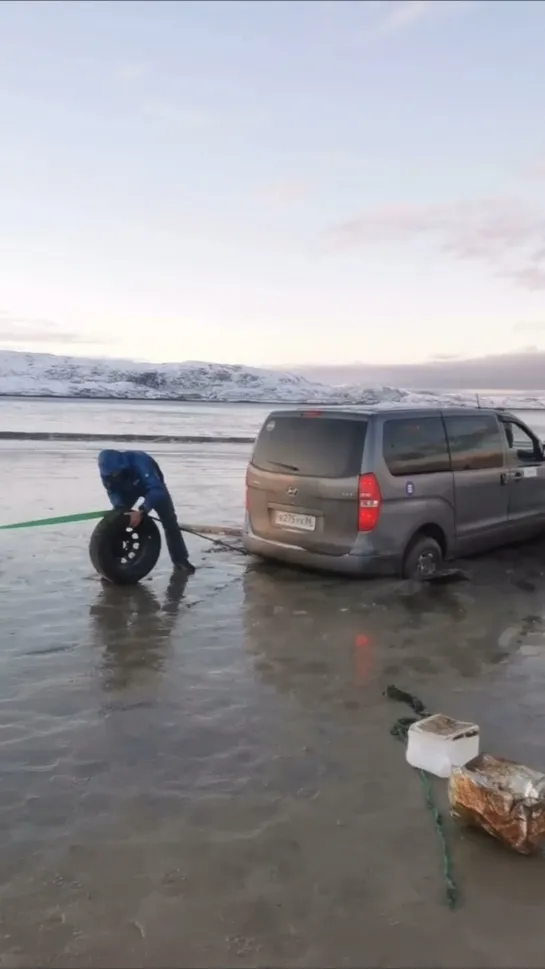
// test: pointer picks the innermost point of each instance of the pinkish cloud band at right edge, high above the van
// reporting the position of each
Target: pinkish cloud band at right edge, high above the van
(504, 234)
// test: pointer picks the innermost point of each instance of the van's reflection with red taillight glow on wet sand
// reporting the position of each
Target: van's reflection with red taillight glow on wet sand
(375, 630)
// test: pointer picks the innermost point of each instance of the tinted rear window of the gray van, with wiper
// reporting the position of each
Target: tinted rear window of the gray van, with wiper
(317, 447)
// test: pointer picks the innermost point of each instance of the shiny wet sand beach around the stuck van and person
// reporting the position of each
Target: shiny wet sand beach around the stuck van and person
(203, 774)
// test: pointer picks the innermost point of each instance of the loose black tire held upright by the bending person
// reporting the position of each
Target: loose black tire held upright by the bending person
(122, 554)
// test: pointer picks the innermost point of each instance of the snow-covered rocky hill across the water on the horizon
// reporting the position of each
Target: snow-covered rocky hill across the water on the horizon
(41, 374)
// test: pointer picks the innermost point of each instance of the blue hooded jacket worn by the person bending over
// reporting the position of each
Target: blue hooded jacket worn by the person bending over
(130, 475)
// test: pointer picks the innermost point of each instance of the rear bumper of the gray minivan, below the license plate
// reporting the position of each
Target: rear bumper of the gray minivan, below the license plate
(362, 560)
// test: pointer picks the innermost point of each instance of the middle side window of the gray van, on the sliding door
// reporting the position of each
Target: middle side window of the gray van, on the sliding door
(476, 442)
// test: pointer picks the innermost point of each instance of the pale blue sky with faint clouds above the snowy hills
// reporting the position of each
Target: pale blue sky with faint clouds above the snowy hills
(273, 183)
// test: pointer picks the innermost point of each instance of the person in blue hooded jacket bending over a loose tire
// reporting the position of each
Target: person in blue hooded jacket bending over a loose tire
(130, 475)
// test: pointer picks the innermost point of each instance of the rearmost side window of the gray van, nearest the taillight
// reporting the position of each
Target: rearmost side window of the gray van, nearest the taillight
(415, 446)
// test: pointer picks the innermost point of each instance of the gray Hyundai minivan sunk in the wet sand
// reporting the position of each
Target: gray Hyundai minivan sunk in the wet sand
(391, 491)
